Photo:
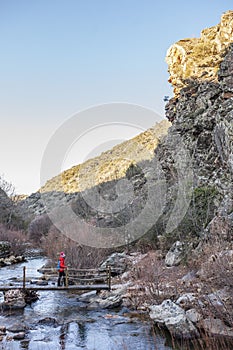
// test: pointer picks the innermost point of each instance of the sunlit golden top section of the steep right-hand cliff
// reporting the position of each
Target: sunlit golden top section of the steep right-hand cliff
(200, 58)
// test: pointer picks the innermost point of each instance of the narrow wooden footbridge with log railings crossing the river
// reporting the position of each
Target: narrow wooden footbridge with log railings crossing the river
(75, 280)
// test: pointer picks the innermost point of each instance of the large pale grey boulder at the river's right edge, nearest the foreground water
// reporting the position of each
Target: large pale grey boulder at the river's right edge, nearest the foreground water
(174, 318)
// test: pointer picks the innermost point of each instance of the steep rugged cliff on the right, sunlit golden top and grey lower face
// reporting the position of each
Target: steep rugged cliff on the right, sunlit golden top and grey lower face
(202, 115)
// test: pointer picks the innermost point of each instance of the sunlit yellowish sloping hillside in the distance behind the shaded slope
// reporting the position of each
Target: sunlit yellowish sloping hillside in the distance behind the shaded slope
(110, 165)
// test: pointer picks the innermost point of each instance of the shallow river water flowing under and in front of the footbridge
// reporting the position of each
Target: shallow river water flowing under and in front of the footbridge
(59, 321)
